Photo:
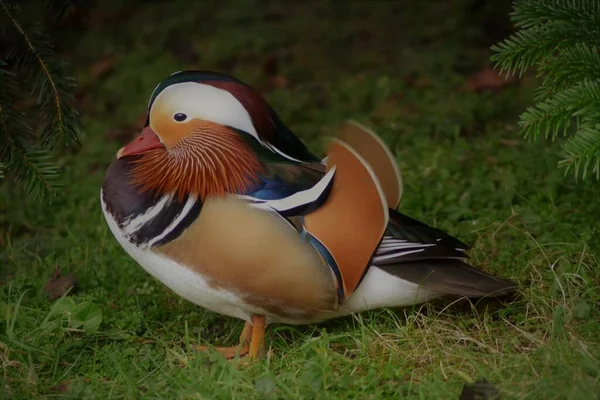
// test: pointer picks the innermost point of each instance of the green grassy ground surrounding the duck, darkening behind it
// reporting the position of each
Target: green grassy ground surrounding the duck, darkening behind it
(398, 67)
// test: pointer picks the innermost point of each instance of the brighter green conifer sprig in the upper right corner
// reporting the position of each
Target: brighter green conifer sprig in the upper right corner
(561, 38)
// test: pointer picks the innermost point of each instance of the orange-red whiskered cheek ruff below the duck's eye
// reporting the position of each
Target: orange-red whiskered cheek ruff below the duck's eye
(210, 161)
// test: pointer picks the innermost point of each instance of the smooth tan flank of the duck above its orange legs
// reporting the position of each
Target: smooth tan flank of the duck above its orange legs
(256, 255)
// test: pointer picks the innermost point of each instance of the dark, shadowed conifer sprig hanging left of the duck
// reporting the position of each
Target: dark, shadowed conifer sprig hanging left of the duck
(30, 68)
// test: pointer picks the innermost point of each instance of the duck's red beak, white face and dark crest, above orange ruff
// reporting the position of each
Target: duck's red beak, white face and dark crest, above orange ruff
(186, 97)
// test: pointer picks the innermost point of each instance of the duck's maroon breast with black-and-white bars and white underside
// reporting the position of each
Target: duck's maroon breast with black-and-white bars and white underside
(142, 220)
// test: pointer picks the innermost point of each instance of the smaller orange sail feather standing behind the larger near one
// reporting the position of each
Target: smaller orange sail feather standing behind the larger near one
(377, 154)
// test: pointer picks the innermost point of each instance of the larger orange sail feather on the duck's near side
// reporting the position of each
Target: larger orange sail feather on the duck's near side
(352, 221)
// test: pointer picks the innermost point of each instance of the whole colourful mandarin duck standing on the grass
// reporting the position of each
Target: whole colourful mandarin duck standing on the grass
(221, 202)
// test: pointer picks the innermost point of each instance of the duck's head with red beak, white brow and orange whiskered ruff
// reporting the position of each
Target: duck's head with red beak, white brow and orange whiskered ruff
(199, 136)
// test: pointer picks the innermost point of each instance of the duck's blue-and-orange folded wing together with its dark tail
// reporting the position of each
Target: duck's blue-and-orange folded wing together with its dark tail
(304, 196)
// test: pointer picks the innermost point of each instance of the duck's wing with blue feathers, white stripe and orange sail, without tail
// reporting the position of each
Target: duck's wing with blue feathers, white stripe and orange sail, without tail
(343, 214)
